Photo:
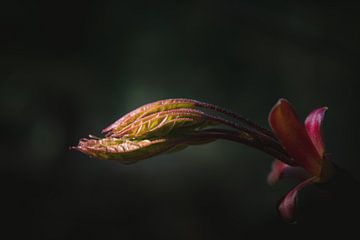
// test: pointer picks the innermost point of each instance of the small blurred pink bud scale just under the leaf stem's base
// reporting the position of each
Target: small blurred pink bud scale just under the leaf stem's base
(282, 170)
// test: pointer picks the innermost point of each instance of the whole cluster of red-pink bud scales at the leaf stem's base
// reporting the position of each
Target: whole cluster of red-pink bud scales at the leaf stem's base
(304, 144)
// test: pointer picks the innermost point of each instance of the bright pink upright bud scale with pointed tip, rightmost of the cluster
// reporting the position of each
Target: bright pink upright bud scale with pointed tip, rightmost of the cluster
(313, 124)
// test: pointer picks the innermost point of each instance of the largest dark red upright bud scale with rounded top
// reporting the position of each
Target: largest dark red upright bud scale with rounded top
(293, 136)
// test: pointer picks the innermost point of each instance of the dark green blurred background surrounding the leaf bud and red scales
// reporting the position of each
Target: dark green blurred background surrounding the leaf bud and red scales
(70, 68)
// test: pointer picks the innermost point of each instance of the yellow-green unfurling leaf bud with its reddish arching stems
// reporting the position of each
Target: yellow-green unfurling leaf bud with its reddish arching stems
(171, 125)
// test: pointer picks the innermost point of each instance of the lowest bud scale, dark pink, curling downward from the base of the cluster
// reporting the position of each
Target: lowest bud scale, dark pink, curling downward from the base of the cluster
(288, 204)
